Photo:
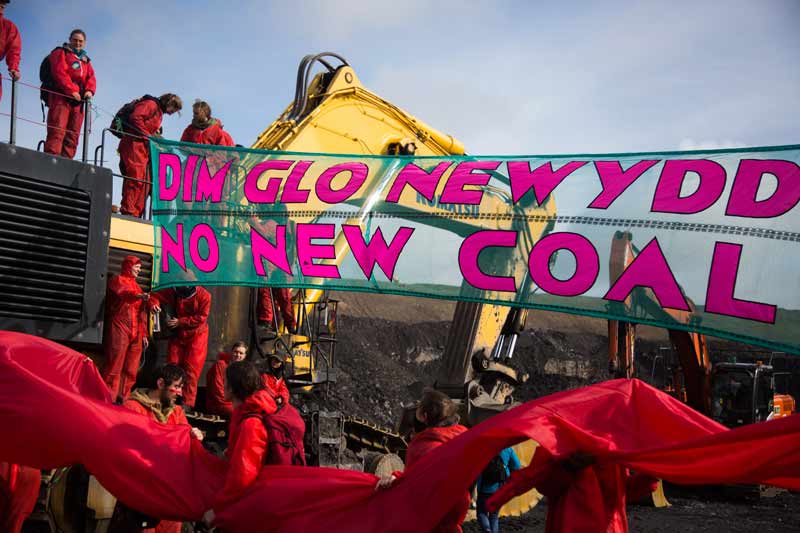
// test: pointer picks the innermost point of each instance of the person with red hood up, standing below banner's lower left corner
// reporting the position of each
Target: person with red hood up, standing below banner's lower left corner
(127, 334)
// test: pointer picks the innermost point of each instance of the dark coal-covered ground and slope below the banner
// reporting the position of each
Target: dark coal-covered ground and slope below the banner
(389, 348)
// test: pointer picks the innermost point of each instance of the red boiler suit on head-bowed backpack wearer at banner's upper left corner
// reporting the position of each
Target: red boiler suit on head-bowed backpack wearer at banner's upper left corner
(144, 121)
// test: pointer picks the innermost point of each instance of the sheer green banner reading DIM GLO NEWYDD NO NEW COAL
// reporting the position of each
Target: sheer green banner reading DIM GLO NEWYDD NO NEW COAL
(704, 241)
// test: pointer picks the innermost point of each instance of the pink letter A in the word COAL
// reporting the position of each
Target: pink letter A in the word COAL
(649, 269)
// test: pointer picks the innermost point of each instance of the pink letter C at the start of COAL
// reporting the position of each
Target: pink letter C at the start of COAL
(471, 250)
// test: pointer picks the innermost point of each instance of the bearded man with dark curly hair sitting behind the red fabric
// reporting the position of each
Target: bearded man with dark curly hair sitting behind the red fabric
(158, 403)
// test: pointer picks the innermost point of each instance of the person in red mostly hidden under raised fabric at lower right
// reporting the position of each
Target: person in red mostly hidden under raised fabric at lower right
(567, 483)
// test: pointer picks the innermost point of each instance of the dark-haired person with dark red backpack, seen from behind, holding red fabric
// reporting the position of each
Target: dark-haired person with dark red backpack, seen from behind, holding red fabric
(261, 433)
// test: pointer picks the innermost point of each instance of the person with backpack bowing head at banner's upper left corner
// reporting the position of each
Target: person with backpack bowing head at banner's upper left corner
(134, 123)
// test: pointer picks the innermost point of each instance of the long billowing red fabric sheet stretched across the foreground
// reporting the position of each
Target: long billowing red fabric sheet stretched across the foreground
(61, 413)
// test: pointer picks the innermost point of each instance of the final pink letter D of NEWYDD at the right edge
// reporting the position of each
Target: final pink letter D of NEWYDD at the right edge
(742, 201)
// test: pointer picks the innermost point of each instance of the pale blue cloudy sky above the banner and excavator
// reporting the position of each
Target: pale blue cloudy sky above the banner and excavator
(503, 77)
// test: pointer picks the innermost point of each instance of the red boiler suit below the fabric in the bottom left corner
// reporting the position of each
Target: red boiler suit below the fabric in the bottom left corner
(19, 489)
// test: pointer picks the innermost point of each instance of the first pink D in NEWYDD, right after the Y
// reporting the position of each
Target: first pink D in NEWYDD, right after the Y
(667, 198)
